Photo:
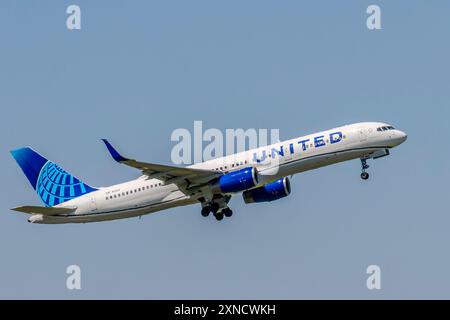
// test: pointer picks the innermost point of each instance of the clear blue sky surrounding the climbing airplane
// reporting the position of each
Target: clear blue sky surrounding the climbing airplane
(138, 70)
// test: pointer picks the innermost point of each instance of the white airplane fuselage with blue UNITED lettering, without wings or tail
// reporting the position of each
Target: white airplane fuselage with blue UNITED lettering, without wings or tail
(143, 196)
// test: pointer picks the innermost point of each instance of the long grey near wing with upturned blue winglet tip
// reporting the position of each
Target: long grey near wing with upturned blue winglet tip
(181, 176)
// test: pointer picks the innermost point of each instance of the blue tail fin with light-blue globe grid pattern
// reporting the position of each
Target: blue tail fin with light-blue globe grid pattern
(51, 182)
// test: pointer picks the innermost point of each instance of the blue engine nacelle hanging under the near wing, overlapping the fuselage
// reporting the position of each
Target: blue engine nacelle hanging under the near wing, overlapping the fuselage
(236, 181)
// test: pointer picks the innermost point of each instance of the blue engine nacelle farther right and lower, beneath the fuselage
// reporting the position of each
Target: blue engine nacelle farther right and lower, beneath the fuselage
(269, 192)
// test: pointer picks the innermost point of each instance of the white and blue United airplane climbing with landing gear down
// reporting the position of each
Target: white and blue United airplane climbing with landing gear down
(261, 175)
